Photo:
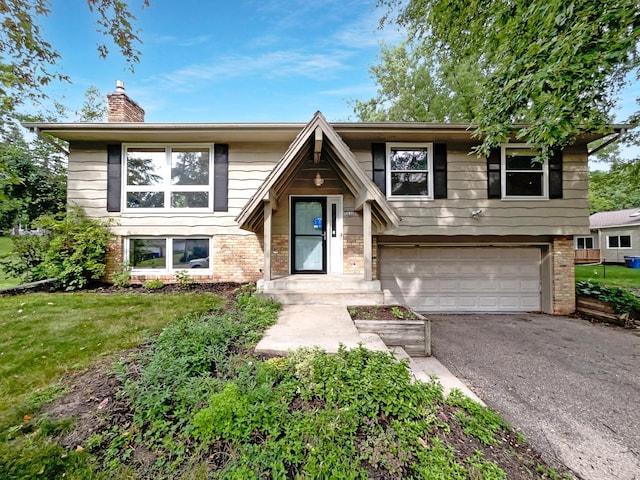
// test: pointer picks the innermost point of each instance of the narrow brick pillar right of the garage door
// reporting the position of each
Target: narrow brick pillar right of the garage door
(564, 293)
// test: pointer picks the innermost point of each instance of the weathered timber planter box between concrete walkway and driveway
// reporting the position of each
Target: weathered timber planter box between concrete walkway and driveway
(412, 335)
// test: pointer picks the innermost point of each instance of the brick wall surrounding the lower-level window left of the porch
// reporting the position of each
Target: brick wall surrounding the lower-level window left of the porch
(235, 258)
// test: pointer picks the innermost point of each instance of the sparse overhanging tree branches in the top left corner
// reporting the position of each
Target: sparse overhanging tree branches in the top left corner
(28, 62)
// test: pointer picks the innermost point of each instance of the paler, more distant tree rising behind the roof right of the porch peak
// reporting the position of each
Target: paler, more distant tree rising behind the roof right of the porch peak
(415, 84)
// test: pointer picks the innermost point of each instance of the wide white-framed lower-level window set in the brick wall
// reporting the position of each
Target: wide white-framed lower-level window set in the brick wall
(169, 254)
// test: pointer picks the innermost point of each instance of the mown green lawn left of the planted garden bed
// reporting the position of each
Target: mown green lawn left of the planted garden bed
(46, 335)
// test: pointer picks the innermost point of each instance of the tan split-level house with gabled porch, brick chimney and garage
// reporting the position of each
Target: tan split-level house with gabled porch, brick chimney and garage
(376, 212)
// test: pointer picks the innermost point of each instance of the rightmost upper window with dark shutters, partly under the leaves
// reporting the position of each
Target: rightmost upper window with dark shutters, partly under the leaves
(522, 176)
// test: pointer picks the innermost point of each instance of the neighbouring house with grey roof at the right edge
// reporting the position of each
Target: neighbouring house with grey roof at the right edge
(613, 236)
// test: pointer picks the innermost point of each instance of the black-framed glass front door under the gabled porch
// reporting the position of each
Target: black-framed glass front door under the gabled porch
(308, 233)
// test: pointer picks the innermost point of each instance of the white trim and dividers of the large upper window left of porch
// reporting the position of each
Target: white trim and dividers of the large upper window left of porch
(166, 188)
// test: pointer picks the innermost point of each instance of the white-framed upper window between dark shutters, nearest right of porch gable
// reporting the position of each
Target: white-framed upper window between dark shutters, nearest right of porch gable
(409, 168)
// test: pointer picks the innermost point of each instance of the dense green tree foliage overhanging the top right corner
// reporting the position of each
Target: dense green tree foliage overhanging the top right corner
(556, 65)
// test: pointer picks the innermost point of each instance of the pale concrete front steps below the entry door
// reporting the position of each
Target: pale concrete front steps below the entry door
(323, 290)
